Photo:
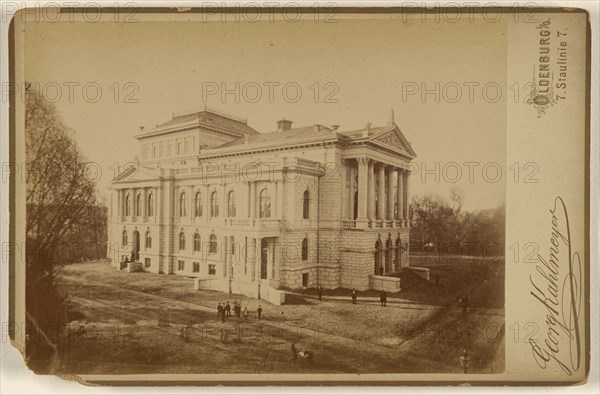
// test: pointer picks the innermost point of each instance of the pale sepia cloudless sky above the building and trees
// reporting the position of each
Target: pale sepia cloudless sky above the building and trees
(349, 73)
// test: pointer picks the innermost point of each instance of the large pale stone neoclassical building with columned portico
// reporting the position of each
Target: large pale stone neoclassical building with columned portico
(212, 198)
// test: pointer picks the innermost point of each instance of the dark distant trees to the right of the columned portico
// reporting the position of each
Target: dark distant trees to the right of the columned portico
(442, 227)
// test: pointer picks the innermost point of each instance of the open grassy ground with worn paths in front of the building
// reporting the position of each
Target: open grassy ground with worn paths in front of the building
(114, 329)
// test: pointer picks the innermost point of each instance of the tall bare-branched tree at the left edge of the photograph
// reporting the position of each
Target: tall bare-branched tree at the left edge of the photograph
(63, 219)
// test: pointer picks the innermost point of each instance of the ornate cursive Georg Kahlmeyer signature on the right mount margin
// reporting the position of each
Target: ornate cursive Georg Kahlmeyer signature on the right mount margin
(557, 287)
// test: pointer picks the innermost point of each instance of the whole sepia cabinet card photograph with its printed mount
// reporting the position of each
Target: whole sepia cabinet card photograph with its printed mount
(297, 191)
